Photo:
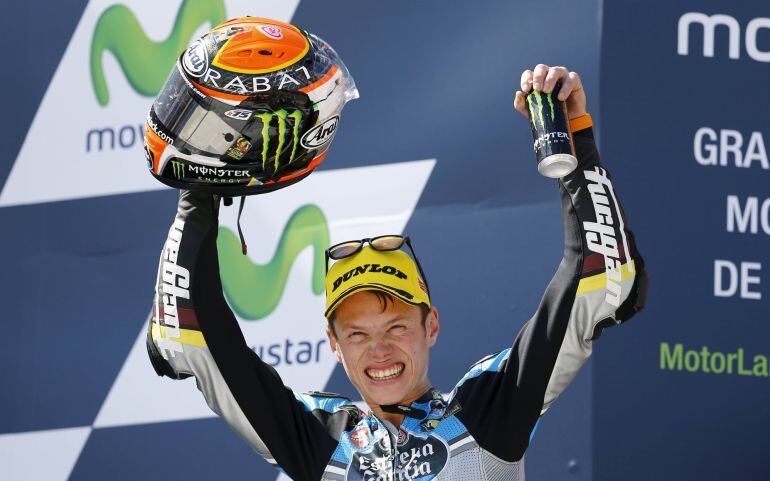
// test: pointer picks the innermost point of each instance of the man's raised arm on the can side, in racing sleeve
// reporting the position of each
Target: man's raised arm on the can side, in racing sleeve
(600, 282)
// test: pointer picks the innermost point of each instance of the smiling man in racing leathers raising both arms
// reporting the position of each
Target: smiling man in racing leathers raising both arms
(381, 326)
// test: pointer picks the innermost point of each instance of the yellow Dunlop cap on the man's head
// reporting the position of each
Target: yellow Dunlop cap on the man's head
(393, 272)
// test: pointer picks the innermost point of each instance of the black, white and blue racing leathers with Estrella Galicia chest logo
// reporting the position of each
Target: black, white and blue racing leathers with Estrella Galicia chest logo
(478, 432)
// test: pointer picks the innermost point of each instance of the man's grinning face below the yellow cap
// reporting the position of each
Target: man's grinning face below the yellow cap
(385, 353)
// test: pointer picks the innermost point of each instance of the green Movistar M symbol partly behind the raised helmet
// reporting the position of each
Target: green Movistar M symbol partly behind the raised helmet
(146, 63)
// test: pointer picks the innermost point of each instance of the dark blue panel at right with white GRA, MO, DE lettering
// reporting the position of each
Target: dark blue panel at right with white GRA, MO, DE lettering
(693, 172)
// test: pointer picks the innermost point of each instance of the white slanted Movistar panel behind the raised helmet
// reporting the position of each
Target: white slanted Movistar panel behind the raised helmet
(116, 62)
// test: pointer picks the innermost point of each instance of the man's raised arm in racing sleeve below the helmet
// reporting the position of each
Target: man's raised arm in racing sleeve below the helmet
(194, 333)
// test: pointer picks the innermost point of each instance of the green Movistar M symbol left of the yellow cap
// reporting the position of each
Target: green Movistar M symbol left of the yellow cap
(254, 290)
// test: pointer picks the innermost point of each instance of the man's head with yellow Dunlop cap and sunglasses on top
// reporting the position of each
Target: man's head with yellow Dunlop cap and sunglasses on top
(381, 323)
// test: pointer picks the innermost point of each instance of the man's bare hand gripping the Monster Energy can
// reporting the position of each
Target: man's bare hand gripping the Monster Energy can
(544, 79)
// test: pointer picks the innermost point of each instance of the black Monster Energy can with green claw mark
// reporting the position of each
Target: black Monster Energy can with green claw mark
(552, 140)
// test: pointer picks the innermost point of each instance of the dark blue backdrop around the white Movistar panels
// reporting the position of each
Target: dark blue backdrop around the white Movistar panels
(437, 81)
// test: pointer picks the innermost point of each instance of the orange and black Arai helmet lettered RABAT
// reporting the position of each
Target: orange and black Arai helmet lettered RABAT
(250, 107)
